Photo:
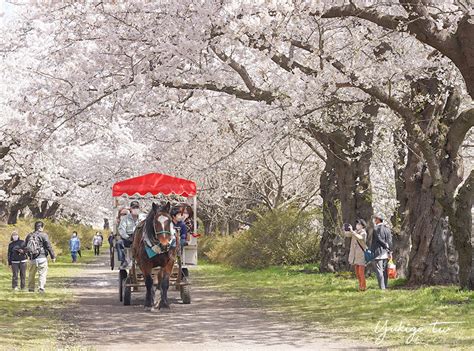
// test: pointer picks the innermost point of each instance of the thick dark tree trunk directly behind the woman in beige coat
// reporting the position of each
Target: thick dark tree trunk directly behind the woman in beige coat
(345, 188)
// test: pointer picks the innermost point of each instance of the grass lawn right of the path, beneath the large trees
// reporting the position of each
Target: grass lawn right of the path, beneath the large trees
(406, 318)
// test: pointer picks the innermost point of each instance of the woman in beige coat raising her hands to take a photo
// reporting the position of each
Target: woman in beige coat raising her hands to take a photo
(356, 253)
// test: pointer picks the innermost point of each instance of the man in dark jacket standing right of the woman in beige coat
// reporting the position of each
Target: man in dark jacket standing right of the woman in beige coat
(381, 247)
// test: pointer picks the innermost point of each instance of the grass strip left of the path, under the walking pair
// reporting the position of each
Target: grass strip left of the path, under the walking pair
(33, 321)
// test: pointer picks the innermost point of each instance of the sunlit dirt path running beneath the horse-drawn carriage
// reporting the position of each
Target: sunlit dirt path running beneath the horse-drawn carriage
(213, 321)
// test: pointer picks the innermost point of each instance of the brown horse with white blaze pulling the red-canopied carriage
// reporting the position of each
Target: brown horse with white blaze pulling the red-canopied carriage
(158, 230)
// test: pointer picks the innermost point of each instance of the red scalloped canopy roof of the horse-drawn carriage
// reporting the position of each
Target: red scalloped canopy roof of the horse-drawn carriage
(155, 183)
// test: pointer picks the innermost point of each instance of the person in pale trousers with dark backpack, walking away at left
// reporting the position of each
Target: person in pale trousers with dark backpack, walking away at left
(38, 247)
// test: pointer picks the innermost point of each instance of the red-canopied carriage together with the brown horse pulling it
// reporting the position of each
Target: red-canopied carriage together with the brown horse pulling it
(148, 189)
